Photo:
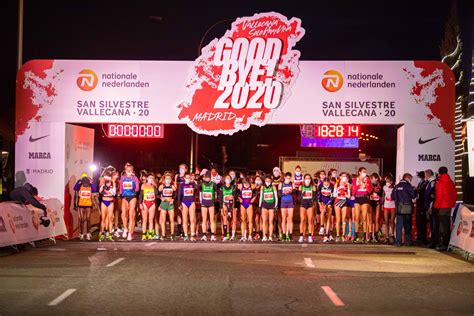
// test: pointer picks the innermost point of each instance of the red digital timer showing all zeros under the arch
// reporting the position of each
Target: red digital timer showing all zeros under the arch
(119, 130)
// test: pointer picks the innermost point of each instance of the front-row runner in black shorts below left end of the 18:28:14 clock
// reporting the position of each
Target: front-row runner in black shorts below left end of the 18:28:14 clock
(307, 194)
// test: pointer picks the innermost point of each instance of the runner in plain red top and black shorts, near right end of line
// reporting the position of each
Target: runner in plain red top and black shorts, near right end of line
(361, 188)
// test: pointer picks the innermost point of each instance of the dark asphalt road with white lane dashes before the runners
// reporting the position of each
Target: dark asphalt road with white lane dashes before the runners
(134, 278)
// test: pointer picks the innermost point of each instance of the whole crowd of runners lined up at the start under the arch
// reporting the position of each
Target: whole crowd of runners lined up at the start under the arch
(336, 205)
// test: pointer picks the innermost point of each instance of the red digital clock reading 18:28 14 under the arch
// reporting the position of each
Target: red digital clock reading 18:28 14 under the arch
(330, 131)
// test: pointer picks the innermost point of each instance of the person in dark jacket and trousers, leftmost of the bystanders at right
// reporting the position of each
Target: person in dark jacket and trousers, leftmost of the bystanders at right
(403, 195)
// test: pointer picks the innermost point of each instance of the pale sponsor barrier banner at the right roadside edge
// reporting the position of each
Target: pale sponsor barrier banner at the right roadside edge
(462, 235)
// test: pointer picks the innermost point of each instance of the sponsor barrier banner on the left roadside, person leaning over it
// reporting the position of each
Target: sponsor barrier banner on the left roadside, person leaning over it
(20, 223)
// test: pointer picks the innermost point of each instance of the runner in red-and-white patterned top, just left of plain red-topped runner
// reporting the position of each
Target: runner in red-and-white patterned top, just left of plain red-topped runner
(342, 194)
